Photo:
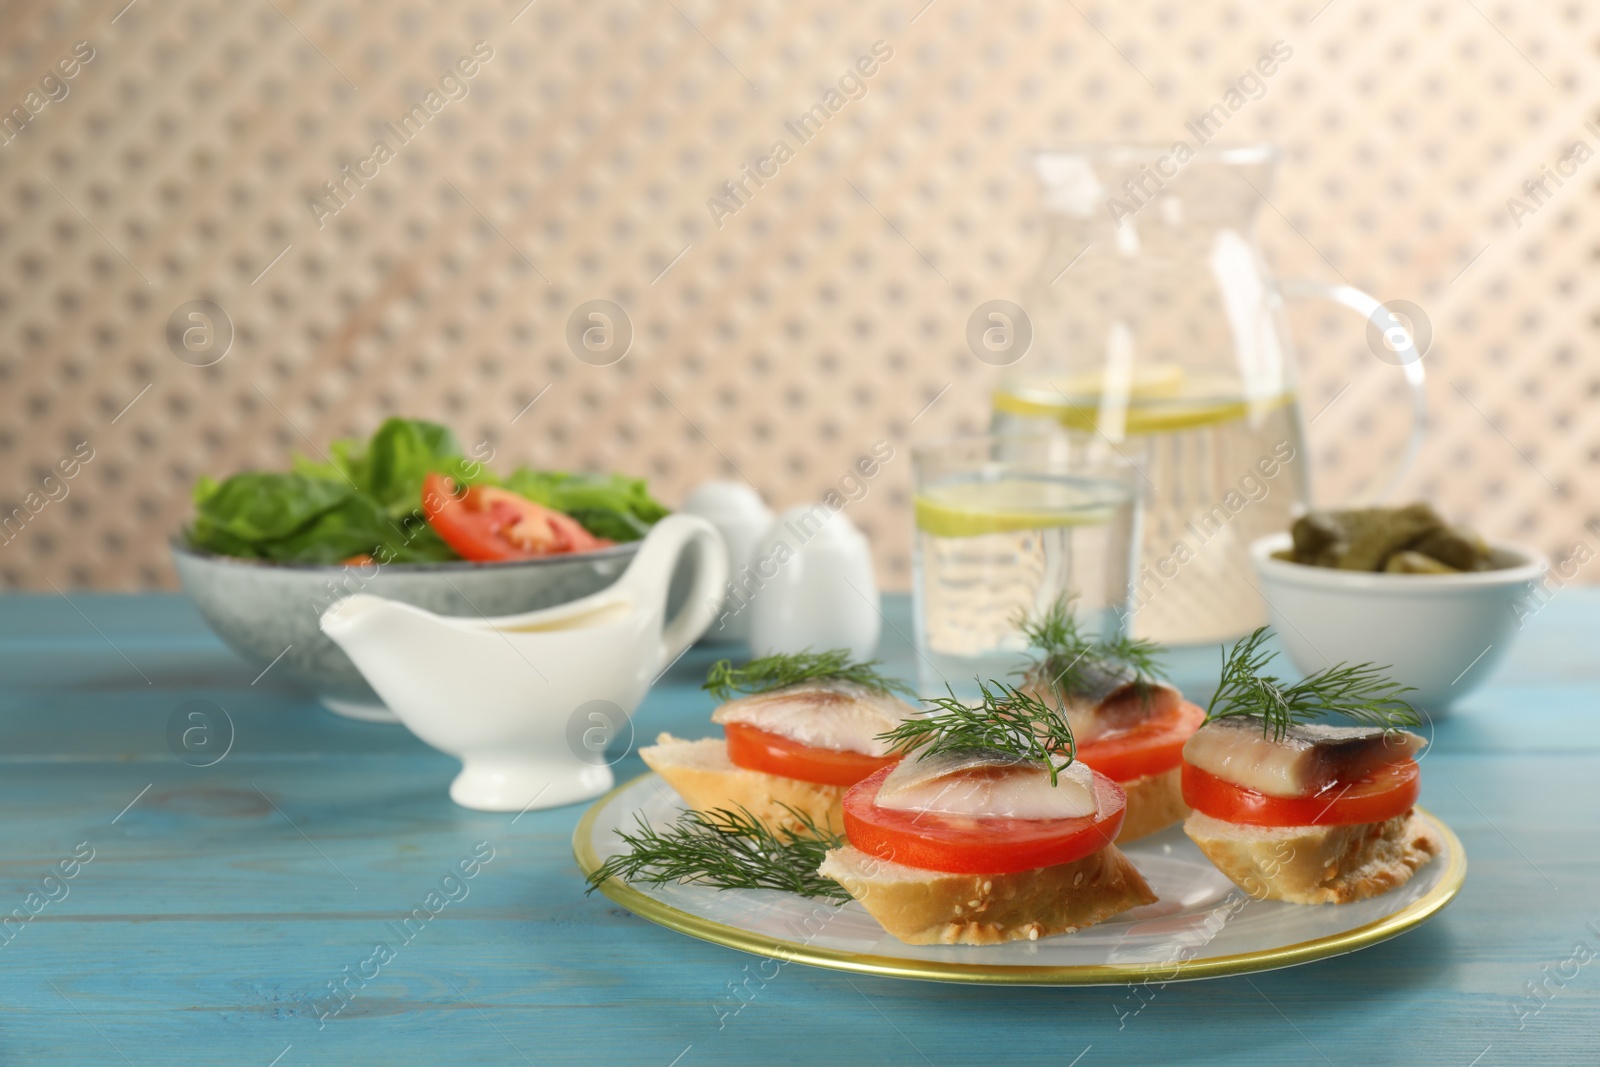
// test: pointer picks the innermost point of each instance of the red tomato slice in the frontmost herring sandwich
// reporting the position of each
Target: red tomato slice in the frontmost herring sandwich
(978, 845)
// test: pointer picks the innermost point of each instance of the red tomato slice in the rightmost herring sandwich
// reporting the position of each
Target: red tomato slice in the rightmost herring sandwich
(1378, 796)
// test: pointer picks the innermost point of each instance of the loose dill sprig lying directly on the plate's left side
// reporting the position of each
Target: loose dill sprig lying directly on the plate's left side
(730, 850)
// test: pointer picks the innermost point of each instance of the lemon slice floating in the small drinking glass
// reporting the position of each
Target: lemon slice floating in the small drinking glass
(969, 510)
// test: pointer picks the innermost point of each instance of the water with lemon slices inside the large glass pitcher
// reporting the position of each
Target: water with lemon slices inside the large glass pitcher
(1217, 471)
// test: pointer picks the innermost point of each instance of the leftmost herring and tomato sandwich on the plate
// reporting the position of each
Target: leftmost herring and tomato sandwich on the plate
(798, 732)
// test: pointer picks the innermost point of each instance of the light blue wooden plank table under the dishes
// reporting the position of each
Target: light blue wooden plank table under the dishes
(222, 900)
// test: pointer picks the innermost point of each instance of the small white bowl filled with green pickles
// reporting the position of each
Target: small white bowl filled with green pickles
(1402, 588)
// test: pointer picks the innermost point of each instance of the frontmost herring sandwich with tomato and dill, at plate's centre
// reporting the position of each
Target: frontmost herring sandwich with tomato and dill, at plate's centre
(988, 831)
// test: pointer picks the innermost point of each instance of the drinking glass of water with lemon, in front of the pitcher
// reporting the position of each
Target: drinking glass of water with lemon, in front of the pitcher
(1007, 524)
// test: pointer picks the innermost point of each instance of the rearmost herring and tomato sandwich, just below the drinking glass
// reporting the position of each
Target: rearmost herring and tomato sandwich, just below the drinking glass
(1127, 722)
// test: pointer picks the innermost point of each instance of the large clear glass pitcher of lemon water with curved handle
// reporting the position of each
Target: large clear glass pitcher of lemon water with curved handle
(1158, 327)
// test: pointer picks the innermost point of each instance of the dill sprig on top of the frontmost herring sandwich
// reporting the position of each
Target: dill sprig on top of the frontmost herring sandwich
(1007, 721)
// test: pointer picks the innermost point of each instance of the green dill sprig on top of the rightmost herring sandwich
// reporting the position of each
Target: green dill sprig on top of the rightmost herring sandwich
(1359, 692)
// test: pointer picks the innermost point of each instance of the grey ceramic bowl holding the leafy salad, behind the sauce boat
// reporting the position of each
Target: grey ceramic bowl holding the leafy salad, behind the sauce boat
(270, 613)
